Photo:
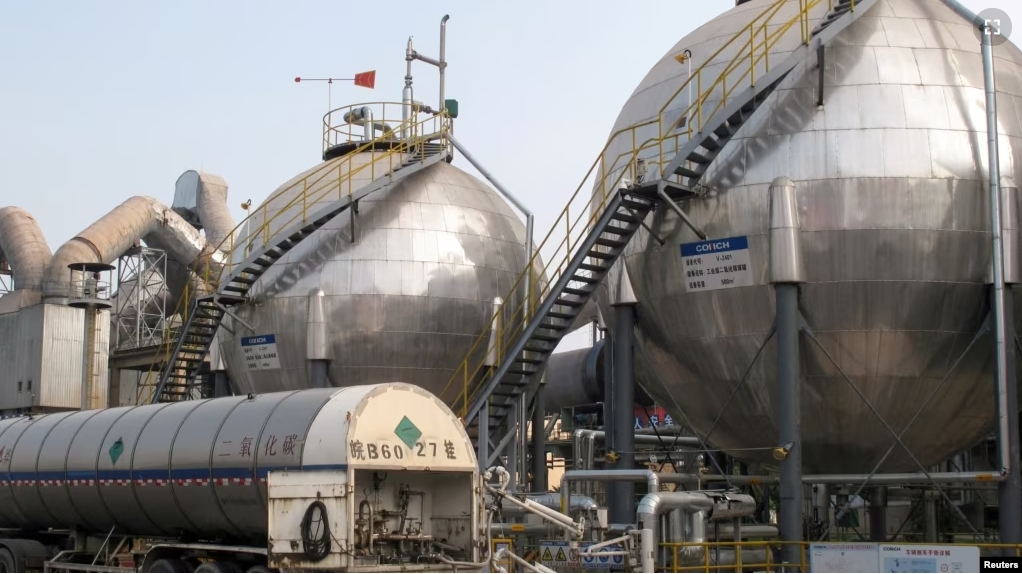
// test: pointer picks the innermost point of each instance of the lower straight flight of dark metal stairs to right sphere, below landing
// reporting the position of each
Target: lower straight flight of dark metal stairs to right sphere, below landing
(518, 375)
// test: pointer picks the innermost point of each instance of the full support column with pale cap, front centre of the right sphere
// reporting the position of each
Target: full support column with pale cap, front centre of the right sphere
(787, 272)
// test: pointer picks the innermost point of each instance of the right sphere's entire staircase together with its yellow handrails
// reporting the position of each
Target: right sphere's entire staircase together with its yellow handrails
(488, 393)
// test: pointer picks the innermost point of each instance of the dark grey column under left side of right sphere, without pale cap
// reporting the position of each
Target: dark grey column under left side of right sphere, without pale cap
(624, 421)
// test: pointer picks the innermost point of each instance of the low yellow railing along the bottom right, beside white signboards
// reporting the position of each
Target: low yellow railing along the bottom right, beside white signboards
(766, 556)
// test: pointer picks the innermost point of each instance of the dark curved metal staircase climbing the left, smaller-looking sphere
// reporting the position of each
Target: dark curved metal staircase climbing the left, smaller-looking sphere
(207, 313)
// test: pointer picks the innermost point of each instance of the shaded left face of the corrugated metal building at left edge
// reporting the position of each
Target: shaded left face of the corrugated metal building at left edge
(21, 357)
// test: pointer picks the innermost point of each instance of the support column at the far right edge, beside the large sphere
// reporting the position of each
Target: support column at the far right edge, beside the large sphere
(1010, 490)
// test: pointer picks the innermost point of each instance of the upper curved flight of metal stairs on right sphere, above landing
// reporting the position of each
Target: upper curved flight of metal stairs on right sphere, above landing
(696, 156)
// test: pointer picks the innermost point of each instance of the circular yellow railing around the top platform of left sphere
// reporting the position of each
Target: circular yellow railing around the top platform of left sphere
(379, 121)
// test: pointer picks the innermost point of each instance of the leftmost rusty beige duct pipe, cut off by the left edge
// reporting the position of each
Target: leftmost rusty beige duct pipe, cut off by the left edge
(24, 248)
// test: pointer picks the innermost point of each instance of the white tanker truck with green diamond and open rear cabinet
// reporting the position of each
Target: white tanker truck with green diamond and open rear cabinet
(374, 479)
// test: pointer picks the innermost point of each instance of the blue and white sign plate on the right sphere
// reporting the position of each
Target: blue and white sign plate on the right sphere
(717, 264)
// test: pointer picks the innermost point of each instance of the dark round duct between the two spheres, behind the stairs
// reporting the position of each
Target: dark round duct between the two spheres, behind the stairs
(576, 378)
